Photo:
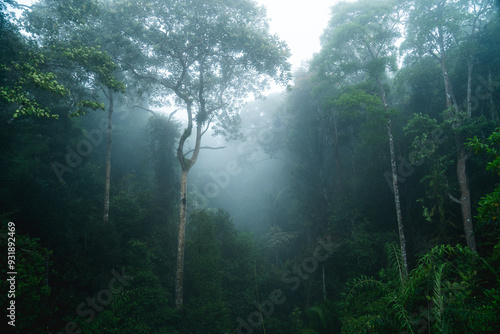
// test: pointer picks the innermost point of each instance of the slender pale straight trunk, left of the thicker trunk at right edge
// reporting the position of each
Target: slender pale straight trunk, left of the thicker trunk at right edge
(399, 216)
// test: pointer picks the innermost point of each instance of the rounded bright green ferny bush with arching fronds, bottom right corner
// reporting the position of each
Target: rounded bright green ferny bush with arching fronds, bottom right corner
(457, 300)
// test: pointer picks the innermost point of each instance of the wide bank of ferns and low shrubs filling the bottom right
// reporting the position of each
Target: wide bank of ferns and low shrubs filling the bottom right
(442, 294)
